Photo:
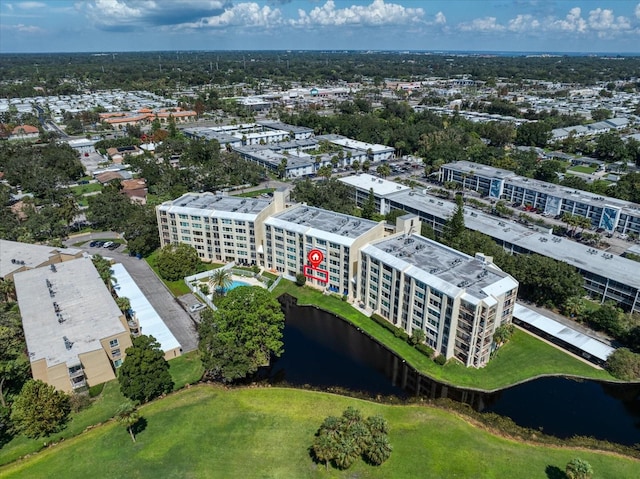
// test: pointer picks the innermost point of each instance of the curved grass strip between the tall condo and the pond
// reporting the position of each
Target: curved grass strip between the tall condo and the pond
(524, 357)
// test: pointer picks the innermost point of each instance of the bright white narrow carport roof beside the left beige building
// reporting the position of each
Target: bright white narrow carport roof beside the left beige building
(150, 321)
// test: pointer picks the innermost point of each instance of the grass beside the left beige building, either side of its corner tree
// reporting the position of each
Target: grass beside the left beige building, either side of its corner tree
(186, 369)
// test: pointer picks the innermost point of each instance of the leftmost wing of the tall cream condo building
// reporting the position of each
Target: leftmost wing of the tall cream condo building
(219, 227)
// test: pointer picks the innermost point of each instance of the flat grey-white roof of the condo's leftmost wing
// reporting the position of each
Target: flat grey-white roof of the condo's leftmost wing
(198, 204)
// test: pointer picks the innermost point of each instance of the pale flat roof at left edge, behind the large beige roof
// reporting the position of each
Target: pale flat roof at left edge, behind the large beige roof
(15, 255)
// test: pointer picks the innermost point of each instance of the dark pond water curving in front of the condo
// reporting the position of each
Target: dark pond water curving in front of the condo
(325, 352)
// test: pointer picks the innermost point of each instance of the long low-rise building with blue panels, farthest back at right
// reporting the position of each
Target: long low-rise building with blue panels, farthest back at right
(610, 214)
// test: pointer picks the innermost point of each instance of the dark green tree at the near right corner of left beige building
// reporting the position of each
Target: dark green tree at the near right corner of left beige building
(144, 374)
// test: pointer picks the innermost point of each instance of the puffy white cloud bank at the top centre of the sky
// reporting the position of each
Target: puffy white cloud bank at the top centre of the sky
(375, 14)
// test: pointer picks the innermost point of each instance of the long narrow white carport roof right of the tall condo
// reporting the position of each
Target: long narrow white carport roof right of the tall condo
(565, 333)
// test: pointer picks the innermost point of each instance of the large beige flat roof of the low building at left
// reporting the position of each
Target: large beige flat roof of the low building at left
(87, 312)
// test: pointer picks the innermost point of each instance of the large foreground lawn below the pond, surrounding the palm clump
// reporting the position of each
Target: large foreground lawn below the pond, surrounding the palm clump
(210, 432)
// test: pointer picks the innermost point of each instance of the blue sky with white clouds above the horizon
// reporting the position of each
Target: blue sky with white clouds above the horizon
(476, 25)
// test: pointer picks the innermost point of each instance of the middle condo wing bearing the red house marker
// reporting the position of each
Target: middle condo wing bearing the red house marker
(292, 234)
